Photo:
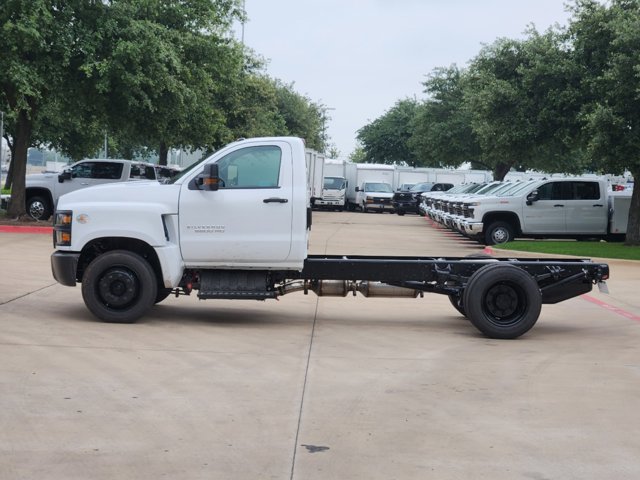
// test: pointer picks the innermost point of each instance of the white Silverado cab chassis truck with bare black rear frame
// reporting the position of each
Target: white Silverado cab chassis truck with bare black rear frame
(236, 226)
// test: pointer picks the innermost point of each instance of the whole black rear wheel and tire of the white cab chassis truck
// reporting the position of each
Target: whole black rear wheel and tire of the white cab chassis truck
(502, 301)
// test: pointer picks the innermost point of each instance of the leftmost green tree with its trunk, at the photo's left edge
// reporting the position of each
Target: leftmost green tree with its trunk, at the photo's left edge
(43, 42)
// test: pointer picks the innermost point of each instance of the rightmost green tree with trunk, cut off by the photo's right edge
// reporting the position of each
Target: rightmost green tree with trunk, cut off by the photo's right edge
(606, 47)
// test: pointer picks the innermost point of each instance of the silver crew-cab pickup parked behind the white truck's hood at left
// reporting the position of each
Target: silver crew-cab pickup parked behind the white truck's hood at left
(42, 190)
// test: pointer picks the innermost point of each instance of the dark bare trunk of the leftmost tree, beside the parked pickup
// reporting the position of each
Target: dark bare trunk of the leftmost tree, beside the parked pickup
(19, 165)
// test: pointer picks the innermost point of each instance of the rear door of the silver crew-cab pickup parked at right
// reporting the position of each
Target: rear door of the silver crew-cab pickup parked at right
(586, 208)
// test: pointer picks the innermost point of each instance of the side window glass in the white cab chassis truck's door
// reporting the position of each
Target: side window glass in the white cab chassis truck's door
(251, 167)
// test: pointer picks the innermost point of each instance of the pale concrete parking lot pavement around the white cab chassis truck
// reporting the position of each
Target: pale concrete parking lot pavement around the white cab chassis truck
(315, 388)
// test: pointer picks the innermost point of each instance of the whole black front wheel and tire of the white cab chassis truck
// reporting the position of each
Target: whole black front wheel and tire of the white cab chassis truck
(119, 287)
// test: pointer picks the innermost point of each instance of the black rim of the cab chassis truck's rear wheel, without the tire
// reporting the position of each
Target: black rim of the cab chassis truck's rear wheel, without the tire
(504, 304)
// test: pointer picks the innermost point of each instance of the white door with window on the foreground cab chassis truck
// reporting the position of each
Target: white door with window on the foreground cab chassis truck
(249, 219)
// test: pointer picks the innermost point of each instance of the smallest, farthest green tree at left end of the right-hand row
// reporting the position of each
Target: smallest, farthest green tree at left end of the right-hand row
(386, 139)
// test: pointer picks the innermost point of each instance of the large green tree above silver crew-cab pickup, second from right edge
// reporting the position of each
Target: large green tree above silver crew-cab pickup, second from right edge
(514, 91)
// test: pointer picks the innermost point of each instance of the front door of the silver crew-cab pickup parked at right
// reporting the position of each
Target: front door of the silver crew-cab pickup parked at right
(547, 214)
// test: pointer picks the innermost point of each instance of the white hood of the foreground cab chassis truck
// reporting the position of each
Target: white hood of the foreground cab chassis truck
(127, 194)
